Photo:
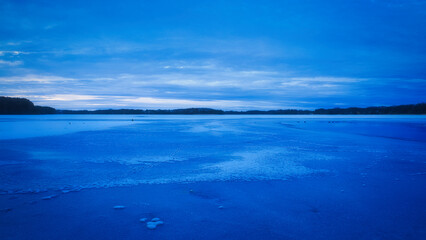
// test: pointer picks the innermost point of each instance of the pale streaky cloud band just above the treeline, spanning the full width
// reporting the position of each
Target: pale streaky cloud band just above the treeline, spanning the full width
(265, 90)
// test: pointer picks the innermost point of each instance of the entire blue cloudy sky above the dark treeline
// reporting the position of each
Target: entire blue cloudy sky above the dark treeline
(237, 55)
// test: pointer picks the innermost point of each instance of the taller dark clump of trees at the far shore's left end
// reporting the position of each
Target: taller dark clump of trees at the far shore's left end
(10, 105)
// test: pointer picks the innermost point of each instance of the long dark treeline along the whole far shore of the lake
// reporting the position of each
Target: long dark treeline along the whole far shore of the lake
(10, 105)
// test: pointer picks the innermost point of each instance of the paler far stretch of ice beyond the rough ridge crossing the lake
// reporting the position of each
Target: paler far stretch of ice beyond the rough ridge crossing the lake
(161, 149)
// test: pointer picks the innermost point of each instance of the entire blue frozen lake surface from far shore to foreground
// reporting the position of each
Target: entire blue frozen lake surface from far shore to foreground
(212, 177)
